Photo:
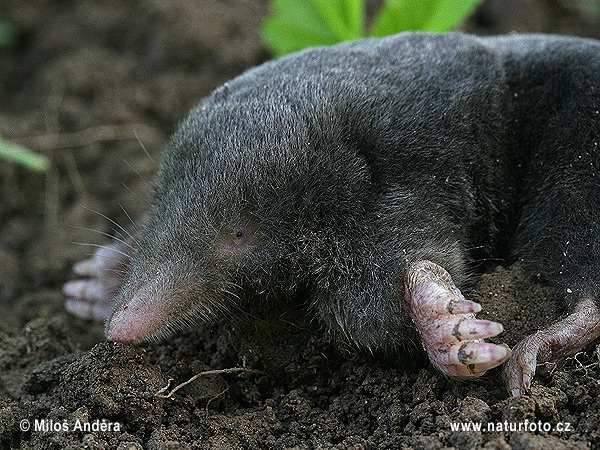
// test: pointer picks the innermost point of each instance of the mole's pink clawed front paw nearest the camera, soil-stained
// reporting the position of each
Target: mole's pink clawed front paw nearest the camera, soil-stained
(446, 322)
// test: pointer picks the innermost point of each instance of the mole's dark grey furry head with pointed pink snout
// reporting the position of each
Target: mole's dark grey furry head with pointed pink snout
(245, 200)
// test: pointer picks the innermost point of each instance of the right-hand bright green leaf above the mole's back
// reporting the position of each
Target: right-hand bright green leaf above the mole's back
(421, 15)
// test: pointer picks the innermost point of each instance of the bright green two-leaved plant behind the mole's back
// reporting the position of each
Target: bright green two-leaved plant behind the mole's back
(297, 24)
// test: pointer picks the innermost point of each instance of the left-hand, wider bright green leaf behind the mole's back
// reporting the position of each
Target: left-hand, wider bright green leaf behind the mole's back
(297, 24)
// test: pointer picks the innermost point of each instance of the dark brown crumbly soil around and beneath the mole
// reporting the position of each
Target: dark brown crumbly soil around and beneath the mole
(98, 87)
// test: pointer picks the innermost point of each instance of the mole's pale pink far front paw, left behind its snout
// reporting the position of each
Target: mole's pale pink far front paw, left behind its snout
(91, 297)
